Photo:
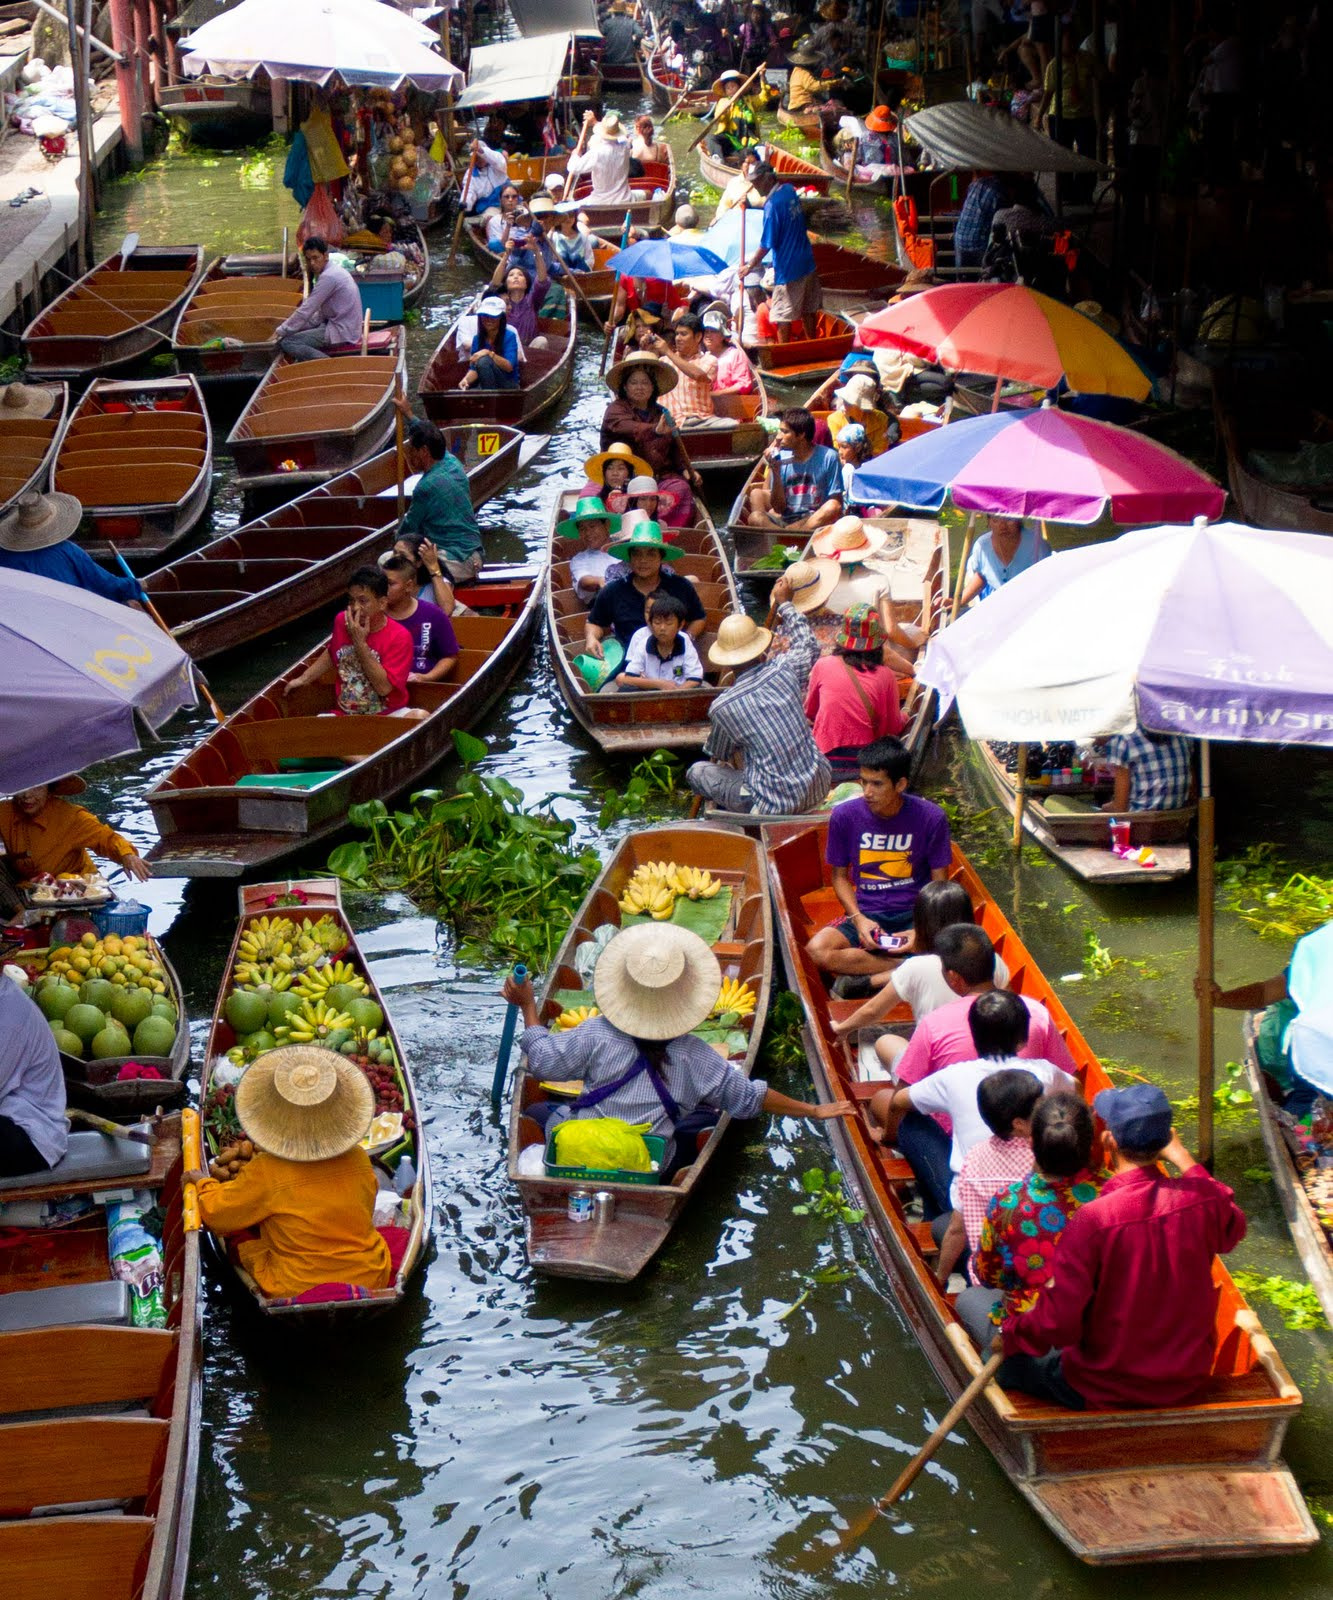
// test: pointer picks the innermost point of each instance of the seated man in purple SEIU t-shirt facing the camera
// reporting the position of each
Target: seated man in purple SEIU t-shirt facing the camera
(883, 849)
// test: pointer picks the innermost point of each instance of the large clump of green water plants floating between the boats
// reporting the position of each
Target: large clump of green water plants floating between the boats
(506, 876)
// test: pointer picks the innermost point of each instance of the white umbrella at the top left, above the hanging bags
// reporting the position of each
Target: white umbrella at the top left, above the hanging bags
(358, 42)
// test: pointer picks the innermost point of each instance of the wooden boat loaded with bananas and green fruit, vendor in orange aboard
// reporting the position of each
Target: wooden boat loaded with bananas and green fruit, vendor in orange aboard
(316, 898)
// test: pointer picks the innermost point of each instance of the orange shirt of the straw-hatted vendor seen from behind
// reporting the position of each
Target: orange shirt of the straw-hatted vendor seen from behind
(314, 1222)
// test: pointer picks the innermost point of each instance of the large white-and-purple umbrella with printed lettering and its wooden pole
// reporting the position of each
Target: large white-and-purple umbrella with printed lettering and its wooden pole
(1215, 633)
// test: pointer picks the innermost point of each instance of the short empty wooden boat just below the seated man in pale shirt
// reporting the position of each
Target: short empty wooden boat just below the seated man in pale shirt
(310, 420)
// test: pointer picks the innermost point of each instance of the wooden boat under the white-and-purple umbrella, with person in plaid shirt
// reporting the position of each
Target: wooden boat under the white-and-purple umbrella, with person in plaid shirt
(1079, 839)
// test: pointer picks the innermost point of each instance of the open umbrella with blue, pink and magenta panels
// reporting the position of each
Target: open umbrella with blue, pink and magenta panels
(1051, 465)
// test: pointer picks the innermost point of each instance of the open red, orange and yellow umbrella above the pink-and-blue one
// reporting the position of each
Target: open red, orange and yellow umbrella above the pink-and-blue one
(1009, 330)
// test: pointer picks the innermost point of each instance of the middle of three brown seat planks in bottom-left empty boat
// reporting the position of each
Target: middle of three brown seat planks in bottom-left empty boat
(65, 1462)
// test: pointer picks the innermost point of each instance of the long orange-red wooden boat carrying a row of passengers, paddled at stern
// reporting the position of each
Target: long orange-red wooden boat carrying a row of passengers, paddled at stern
(1140, 1486)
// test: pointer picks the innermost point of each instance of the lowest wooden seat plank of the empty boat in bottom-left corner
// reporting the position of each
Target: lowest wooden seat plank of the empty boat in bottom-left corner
(98, 1558)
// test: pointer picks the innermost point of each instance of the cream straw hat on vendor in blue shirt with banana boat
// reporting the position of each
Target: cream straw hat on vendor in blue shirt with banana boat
(655, 982)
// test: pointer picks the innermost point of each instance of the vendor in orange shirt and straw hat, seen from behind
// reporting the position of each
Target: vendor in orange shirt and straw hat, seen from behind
(310, 1188)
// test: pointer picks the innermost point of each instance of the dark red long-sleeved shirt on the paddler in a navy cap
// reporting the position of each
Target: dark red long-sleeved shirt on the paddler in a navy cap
(1132, 1300)
